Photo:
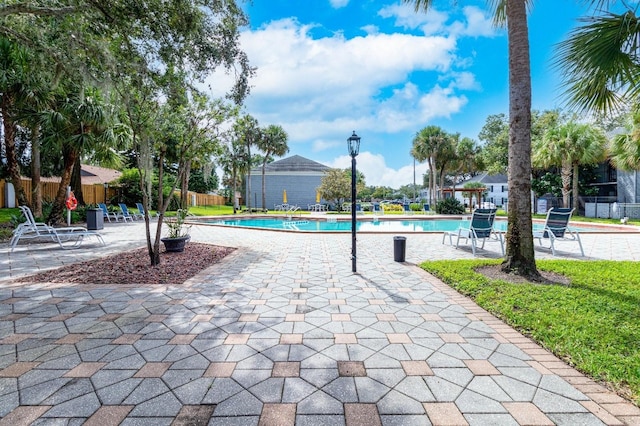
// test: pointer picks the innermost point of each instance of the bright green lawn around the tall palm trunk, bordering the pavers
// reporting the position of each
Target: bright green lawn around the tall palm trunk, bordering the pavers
(593, 324)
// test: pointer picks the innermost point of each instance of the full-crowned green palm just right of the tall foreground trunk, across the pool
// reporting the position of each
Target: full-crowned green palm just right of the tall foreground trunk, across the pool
(569, 146)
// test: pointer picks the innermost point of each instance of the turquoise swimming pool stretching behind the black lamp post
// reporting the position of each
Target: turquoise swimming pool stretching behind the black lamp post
(367, 225)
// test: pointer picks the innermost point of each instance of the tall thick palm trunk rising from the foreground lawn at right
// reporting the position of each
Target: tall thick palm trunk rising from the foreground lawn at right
(520, 257)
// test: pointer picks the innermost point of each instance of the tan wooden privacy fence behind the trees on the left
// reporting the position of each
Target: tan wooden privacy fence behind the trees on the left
(97, 193)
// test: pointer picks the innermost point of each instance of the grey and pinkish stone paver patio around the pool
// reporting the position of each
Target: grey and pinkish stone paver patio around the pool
(282, 332)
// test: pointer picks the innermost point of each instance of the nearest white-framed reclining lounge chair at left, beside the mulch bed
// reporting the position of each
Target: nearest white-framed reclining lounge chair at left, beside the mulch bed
(32, 229)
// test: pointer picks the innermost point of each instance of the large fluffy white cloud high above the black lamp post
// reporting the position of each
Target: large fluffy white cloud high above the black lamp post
(319, 88)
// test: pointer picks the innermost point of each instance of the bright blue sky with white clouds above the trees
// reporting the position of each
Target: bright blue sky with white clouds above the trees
(328, 67)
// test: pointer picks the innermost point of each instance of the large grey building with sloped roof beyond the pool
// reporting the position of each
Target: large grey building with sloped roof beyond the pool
(298, 176)
